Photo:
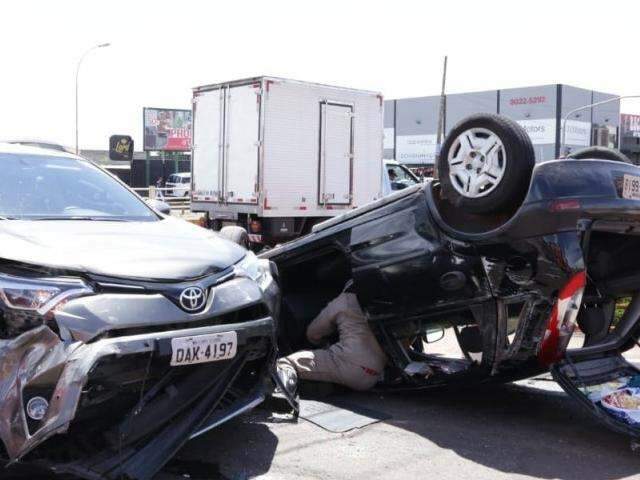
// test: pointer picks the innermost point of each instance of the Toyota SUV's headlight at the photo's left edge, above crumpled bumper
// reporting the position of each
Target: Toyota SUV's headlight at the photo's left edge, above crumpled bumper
(27, 303)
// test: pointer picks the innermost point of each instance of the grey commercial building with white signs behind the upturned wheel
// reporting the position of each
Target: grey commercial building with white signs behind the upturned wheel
(411, 123)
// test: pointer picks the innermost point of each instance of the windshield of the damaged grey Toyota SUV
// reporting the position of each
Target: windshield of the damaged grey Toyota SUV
(34, 187)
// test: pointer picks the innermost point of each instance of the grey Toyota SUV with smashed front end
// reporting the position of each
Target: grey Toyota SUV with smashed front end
(124, 333)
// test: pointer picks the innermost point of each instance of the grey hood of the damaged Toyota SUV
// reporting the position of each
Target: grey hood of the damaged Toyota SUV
(165, 250)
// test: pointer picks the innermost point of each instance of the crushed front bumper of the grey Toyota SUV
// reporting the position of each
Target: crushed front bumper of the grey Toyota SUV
(174, 404)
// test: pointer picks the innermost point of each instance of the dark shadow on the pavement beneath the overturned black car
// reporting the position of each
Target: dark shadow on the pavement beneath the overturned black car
(515, 430)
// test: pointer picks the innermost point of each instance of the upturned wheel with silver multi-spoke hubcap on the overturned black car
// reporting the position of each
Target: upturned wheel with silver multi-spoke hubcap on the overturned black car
(485, 164)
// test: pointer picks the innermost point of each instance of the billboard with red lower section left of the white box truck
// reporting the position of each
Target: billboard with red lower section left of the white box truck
(167, 129)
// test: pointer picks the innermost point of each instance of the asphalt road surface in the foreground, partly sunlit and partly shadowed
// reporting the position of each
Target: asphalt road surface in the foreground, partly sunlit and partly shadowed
(528, 430)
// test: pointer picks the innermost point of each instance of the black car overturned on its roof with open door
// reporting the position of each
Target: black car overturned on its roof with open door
(505, 256)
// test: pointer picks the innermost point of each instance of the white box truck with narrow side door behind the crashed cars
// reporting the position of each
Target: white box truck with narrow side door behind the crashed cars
(277, 156)
